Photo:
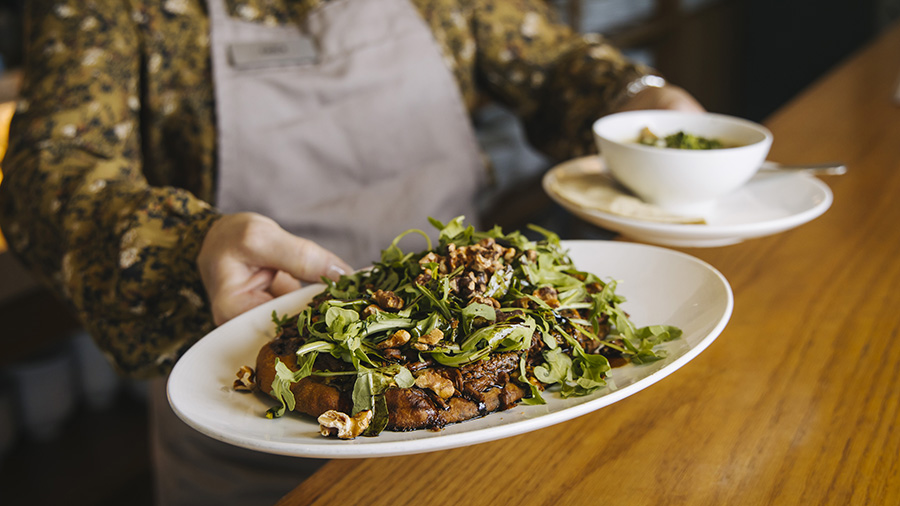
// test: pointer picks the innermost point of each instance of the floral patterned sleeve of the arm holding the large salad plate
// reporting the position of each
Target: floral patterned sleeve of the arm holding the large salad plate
(74, 204)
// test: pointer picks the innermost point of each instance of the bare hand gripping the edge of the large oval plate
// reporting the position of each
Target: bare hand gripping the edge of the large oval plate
(247, 259)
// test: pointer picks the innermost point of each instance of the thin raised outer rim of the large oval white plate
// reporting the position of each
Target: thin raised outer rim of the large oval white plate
(374, 448)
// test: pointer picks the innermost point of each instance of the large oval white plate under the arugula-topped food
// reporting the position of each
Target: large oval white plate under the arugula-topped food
(662, 286)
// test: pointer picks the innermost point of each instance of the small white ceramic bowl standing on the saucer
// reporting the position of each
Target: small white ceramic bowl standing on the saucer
(683, 181)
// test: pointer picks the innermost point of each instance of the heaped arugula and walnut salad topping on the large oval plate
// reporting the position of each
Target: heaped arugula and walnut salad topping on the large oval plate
(444, 319)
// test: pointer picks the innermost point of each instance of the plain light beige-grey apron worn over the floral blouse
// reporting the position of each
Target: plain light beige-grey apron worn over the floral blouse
(364, 142)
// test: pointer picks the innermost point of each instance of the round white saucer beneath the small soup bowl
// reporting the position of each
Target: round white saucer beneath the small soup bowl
(770, 203)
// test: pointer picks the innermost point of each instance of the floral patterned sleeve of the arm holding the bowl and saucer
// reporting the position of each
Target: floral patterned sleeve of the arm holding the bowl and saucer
(556, 80)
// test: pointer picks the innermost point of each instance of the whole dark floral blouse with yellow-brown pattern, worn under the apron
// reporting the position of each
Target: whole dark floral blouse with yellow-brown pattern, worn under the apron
(110, 175)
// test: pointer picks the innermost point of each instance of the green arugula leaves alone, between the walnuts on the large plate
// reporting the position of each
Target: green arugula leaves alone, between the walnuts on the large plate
(582, 309)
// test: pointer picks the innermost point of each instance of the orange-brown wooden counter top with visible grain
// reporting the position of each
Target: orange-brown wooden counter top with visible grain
(797, 402)
